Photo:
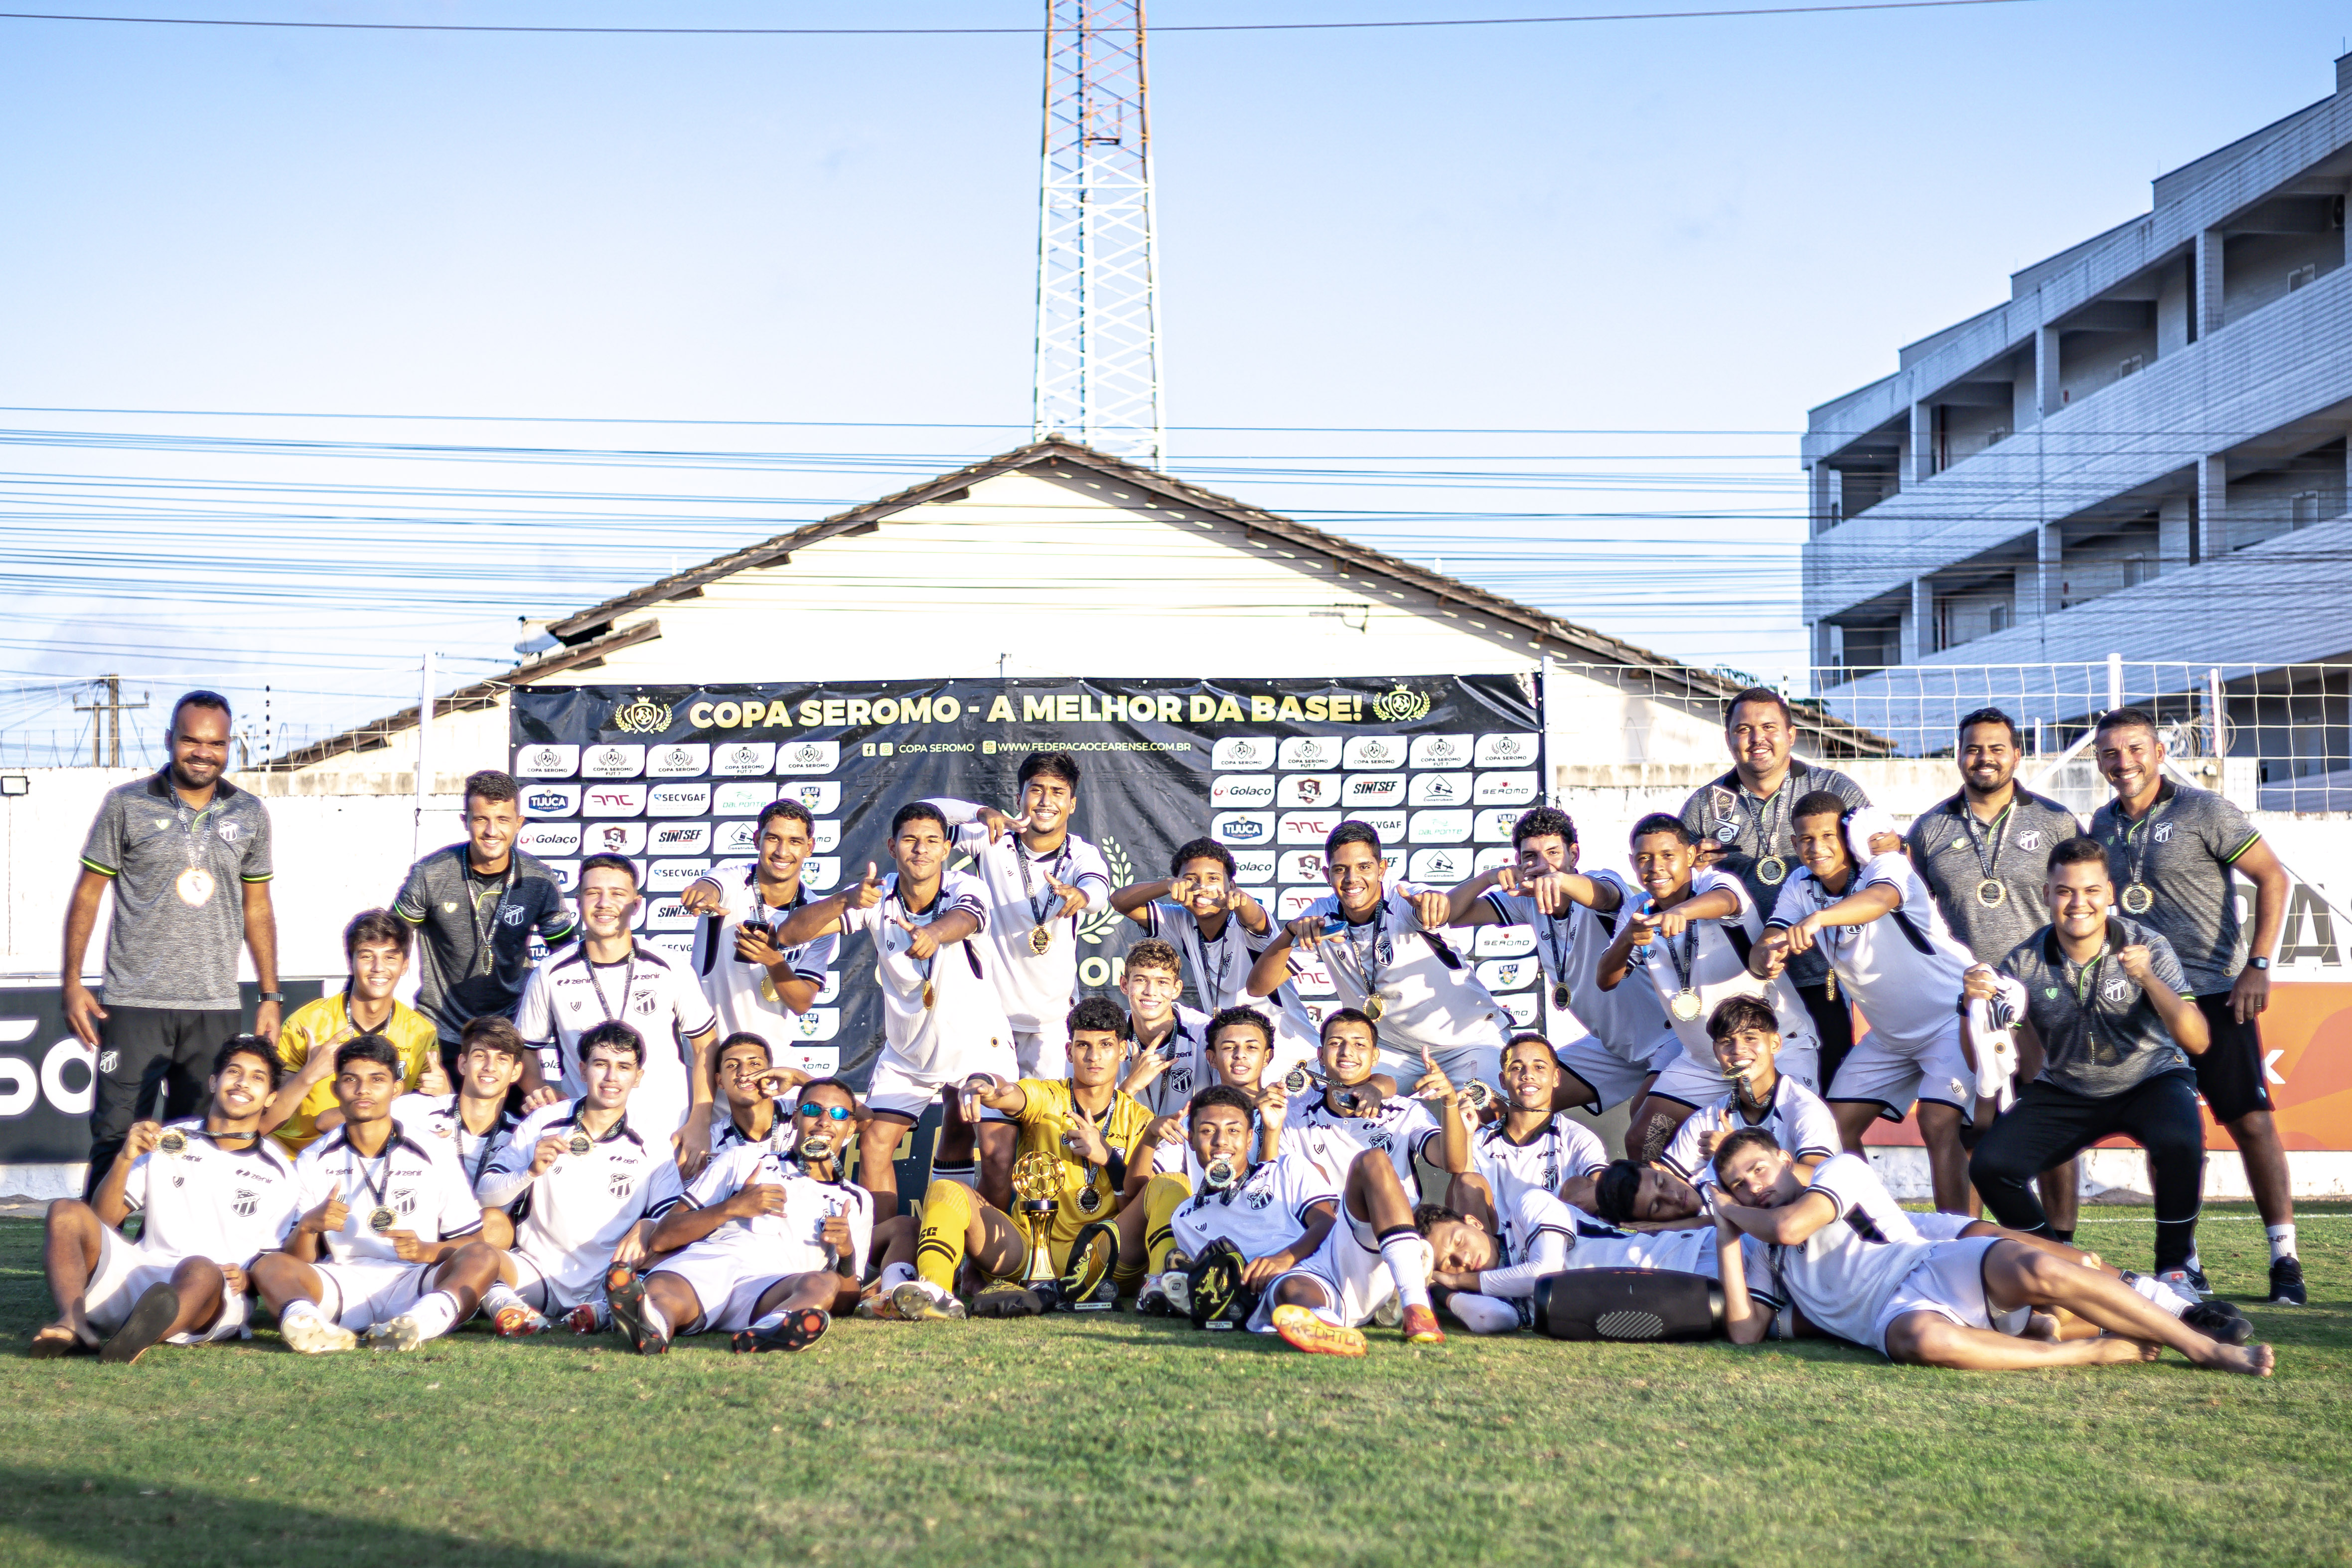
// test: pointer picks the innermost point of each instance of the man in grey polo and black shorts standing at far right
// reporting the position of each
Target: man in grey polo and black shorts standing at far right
(2174, 852)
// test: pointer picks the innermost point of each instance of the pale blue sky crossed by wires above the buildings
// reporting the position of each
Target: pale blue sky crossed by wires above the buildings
(1655, 243)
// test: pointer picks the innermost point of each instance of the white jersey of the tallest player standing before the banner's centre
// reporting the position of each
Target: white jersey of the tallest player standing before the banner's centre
(1034, 986)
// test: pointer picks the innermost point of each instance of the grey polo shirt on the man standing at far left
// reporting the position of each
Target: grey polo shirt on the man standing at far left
(180, 892)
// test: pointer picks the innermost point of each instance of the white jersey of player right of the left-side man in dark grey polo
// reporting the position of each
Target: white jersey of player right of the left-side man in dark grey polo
(648, 991)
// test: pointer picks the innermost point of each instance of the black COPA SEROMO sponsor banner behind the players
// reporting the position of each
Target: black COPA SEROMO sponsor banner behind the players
(676, 777)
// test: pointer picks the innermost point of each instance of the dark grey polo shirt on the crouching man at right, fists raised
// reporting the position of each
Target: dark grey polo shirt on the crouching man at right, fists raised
(2099, 1028)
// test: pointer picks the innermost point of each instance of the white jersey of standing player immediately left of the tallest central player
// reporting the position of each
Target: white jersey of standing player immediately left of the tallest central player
(965, 1010)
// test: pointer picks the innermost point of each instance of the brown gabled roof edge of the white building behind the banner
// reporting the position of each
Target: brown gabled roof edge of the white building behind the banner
(594, 631)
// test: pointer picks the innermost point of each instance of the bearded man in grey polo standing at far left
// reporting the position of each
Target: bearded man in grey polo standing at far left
(189, 862)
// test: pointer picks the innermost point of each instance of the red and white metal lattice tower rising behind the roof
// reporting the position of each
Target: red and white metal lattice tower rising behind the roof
(1097, 267)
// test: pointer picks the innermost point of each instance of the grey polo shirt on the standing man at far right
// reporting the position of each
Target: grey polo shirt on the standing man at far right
(2184, 852)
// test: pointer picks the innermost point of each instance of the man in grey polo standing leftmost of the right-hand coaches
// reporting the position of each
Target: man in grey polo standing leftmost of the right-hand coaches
(1746, 819)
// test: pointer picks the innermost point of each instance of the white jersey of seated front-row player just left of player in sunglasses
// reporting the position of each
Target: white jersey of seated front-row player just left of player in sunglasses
(587, 1202)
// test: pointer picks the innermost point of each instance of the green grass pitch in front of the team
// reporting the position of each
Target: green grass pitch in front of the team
(1135, 1442)
